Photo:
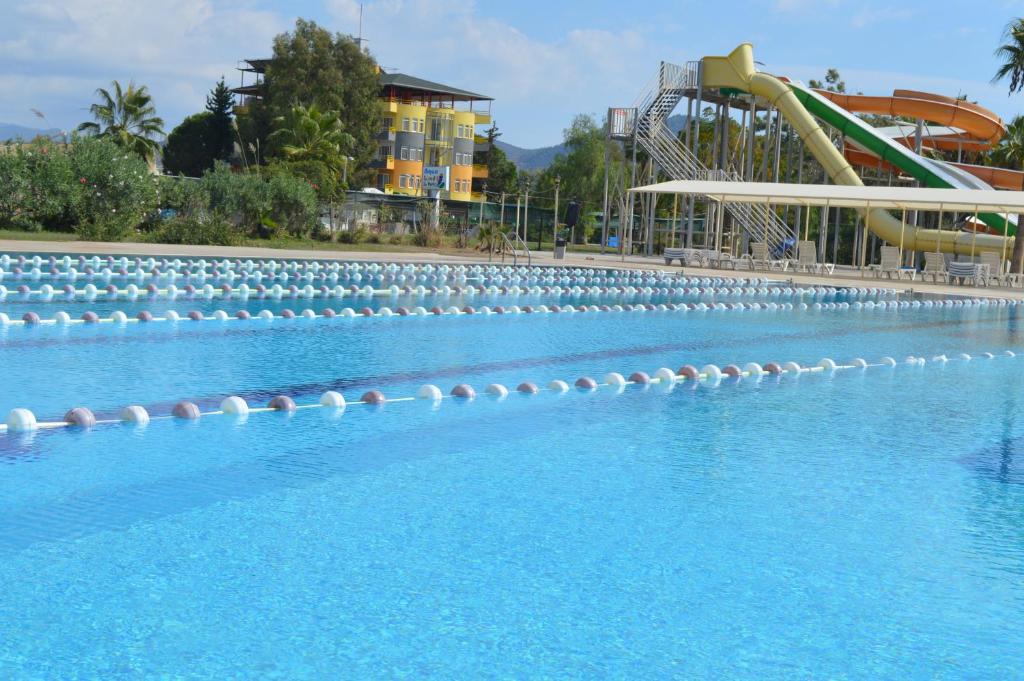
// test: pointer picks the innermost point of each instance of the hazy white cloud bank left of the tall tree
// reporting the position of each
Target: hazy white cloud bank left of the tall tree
(56, 55)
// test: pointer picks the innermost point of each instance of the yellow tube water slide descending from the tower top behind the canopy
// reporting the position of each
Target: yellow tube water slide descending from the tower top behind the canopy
(737, 72)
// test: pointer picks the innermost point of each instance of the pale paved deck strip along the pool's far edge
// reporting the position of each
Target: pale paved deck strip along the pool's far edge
(842, 277)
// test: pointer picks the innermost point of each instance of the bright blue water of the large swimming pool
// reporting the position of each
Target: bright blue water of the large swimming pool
(858, 524)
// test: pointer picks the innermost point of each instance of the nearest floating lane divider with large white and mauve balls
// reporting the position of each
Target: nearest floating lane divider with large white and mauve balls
(23, 420)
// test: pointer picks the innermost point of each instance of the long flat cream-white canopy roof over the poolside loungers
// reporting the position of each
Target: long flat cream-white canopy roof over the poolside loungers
(986, 201)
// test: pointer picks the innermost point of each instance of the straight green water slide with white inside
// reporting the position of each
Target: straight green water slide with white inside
(928, 173)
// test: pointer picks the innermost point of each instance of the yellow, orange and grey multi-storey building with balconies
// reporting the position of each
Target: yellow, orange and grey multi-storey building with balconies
(430, 124)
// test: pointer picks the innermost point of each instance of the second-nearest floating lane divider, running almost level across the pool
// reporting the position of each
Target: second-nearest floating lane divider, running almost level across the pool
(32, 319)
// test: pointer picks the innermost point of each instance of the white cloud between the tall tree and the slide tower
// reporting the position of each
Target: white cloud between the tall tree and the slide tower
(535, 81)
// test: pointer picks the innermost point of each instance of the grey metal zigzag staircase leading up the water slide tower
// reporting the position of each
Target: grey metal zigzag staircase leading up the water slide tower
(660, 100)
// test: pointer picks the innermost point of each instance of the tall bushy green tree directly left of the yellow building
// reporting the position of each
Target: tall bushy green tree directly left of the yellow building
(312, 66)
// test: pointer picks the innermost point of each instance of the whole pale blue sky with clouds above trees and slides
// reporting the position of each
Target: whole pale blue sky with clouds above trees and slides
(543, 62)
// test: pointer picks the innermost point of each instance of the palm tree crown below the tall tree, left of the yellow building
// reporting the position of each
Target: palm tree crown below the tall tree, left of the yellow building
(310, 135)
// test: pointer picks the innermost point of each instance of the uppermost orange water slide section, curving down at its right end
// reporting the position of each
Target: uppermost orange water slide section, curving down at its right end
(980, 124)
